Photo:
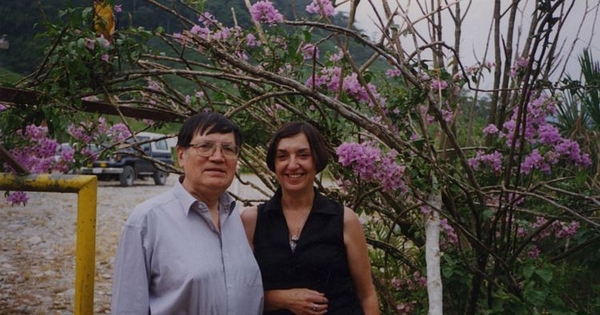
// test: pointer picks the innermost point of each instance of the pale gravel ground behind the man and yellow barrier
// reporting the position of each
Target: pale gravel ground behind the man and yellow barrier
(37, 246)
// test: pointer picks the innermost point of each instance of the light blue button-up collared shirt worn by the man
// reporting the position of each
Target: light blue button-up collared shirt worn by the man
(172, 260)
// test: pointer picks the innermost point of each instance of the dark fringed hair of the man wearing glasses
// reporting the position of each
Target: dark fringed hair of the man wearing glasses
(207, 122)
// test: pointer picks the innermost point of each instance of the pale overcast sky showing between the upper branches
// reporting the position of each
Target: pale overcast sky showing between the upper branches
(477, 26)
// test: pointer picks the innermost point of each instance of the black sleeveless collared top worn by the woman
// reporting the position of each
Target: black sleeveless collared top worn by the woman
(319, 261)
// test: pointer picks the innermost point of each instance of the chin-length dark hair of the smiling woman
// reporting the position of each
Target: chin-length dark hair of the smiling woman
(316, 142)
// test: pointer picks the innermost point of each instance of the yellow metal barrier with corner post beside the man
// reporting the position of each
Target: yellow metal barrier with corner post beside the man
(86, 187)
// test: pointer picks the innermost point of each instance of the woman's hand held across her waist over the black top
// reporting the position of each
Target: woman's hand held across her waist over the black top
(298, 301)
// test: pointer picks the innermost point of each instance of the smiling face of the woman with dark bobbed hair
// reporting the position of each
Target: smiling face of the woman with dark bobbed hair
(294, 164)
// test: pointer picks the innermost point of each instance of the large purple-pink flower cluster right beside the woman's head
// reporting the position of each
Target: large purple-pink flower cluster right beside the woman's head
(368, 162)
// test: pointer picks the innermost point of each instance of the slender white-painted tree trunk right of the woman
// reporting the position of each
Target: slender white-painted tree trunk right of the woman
(432, 255)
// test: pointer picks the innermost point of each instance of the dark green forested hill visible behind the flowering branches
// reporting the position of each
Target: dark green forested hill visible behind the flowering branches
(21, 20)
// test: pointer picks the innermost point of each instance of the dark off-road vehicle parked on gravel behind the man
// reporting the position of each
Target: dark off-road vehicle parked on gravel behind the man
(125, 166)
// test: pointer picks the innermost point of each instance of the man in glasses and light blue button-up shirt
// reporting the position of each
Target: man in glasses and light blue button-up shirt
(184, 251)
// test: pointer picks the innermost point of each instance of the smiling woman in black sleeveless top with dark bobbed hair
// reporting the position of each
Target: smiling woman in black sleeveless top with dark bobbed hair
(311, 250)
